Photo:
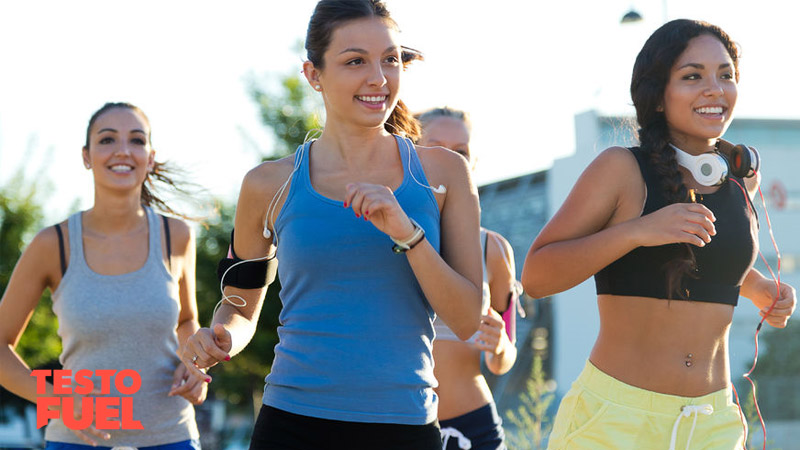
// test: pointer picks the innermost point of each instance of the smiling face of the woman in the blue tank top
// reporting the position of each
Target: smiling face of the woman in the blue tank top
(360, 77)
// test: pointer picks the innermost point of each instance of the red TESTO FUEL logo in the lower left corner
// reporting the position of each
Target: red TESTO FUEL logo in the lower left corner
(102, 410)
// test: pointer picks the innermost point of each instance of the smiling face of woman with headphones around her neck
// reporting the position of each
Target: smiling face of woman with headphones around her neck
(701, 94)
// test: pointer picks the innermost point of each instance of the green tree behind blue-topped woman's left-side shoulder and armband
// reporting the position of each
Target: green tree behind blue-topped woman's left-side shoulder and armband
(287, 115)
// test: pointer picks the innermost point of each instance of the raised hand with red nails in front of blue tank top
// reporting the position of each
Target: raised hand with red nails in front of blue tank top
(378, 204)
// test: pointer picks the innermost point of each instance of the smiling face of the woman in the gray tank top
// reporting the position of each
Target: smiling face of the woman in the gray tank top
(119, 151)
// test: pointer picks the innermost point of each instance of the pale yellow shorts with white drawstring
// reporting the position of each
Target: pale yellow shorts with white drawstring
(601, 412)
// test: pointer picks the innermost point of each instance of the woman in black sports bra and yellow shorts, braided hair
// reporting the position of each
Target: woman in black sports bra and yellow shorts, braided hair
(669, 265)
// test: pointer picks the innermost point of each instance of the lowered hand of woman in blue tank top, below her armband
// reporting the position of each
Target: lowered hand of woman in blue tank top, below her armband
(205, 349)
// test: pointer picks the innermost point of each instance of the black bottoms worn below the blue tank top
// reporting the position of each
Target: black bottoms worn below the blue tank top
(276, 429)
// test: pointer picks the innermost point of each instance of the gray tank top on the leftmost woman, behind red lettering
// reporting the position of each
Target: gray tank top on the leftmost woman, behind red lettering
(120, 322)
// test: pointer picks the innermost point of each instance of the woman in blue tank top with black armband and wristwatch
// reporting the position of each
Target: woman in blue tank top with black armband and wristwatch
(354, 368)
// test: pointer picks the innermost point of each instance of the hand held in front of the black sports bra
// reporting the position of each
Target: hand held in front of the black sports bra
(690, 223)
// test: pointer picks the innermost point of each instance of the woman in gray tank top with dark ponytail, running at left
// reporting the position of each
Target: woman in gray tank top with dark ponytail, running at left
(124, 298)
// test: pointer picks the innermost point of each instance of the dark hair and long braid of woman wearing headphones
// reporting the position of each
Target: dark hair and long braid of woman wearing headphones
(651, 73)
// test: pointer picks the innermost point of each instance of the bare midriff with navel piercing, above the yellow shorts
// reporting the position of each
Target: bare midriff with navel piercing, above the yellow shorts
(672, 347)
